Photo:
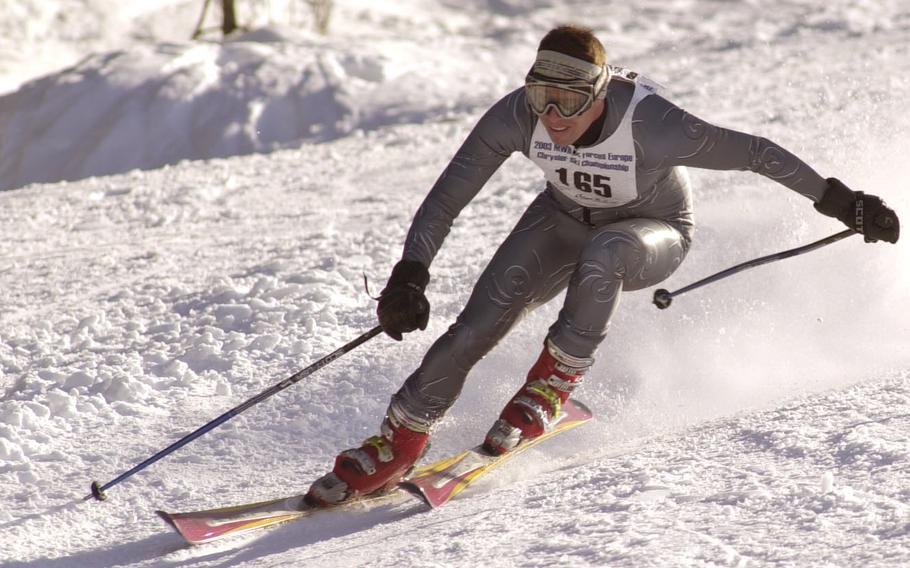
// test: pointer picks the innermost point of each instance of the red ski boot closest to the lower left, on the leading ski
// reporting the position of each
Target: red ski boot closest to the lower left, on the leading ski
(377, 466)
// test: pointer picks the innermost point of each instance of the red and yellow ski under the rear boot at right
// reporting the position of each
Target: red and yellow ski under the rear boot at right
(436, 484)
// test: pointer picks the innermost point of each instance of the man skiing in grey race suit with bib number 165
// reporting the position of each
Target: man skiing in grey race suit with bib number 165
(615, 215)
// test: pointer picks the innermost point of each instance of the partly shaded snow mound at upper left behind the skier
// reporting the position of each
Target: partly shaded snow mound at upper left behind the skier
(148, 106)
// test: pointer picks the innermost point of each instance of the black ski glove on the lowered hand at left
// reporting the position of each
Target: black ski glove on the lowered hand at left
(403, 307)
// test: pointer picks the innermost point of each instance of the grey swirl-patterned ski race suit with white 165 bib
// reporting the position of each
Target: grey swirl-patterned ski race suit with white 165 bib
(578, 235)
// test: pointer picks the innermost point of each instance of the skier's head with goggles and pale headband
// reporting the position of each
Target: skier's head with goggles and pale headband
(567, 82)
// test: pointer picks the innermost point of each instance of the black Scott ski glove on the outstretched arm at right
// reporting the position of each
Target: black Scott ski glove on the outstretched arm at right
(866, 214)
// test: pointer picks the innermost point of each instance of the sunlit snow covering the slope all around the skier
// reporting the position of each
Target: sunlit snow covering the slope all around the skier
(222, 201)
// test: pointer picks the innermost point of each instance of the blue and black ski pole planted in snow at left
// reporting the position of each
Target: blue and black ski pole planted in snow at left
(98, 490)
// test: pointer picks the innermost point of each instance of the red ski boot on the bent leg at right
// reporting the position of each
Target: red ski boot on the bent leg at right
(537, 405)
